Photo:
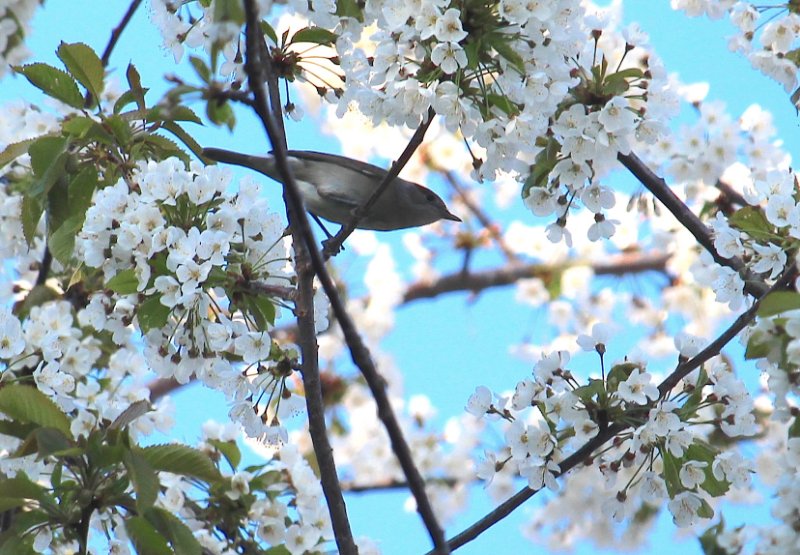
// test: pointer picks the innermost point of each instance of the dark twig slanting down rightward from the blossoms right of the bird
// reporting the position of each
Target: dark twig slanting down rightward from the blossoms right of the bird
(656, 185)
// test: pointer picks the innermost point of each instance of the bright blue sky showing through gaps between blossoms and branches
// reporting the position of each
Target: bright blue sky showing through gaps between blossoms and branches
(695, 48)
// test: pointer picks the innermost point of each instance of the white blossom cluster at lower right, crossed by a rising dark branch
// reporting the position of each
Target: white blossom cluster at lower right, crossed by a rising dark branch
(665, 456)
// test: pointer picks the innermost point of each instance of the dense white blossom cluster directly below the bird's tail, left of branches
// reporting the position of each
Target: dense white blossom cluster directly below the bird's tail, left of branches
(181, 257)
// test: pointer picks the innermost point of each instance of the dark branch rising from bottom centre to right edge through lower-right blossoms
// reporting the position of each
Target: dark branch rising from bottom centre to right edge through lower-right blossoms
(584, 453)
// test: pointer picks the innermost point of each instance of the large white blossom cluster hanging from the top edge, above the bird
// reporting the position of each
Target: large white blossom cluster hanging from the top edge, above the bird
(527, 85)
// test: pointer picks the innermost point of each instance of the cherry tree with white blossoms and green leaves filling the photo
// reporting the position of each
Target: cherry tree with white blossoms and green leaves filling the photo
(134, 265)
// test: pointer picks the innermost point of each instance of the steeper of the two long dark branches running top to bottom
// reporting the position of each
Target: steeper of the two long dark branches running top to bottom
(254, 67)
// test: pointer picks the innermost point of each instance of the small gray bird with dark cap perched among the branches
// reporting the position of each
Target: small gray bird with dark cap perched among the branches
(334, 186)
